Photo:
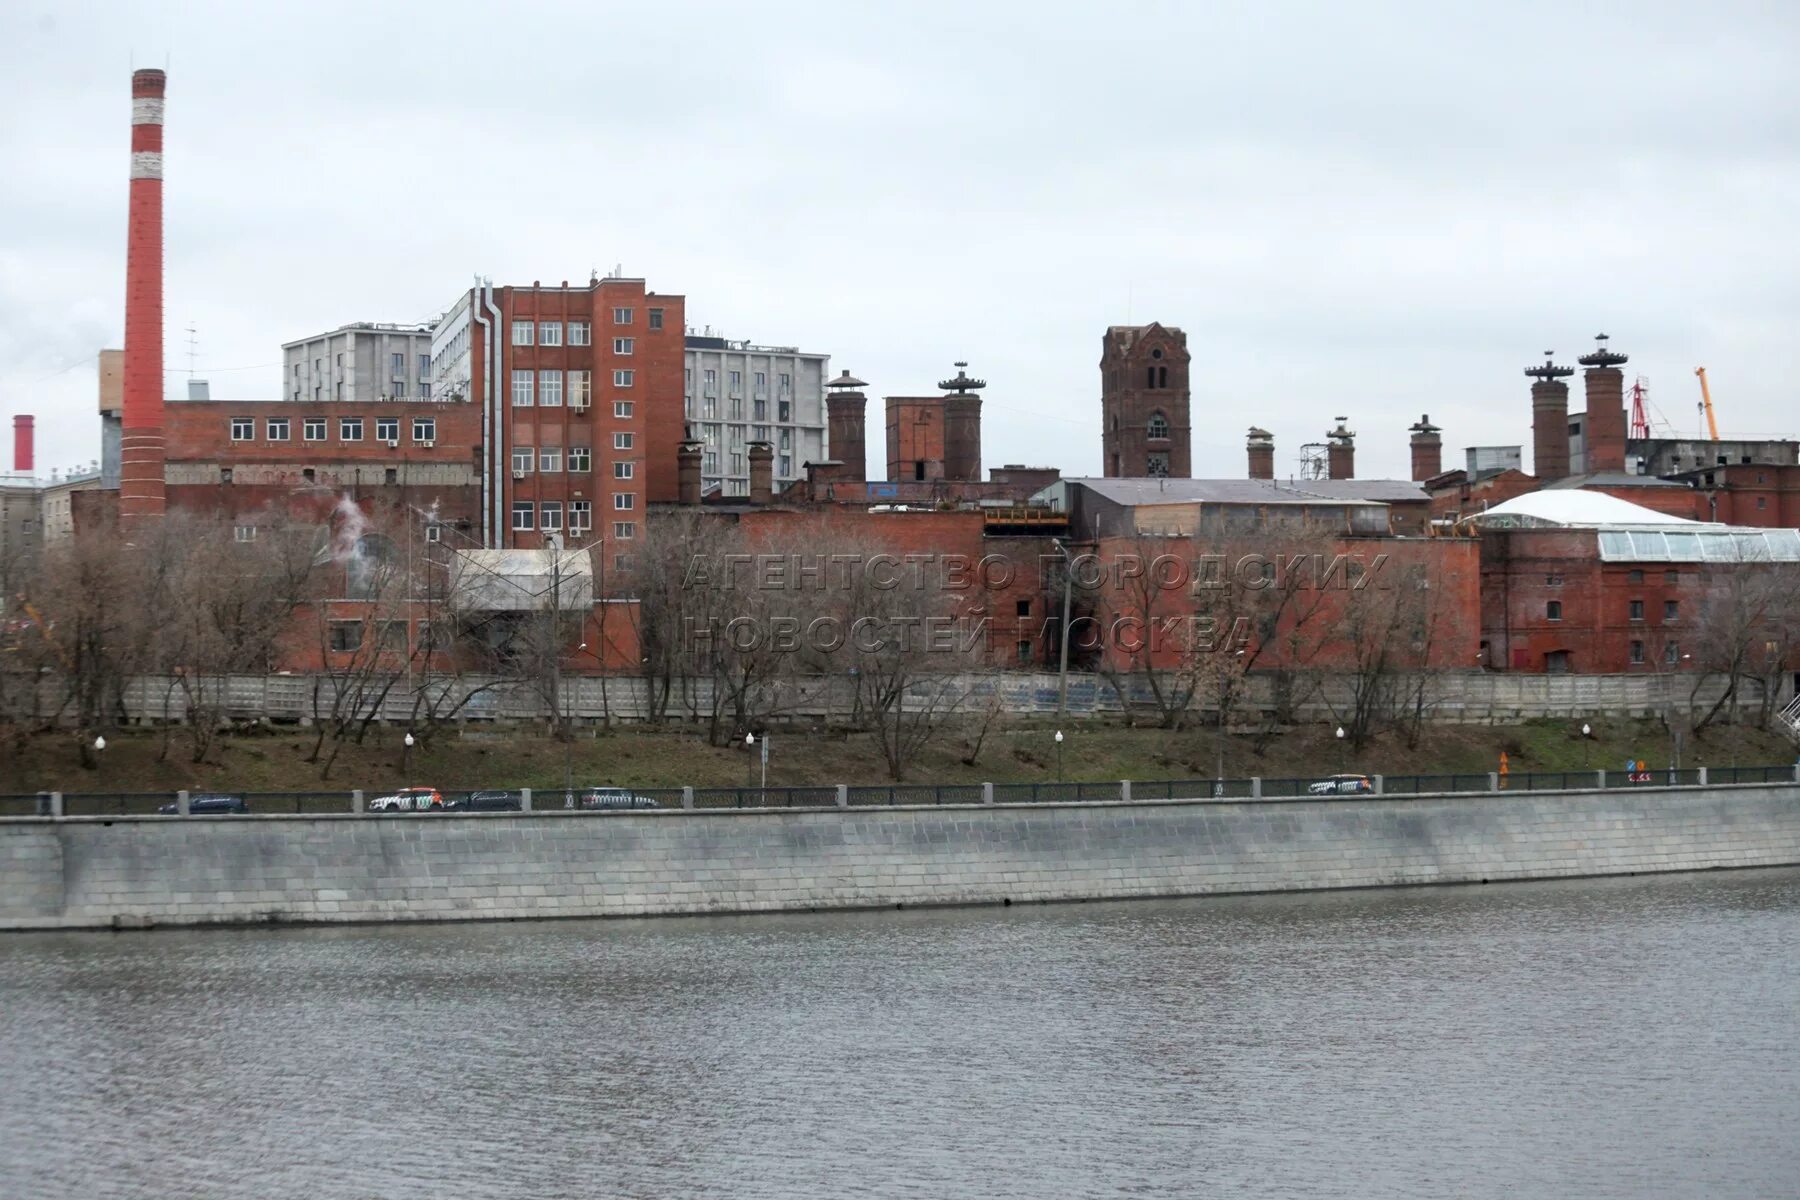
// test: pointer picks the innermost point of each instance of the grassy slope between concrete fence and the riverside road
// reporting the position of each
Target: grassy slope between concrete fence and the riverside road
(276, 762)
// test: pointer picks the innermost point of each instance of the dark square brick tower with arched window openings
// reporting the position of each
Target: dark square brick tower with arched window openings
(1144, 402)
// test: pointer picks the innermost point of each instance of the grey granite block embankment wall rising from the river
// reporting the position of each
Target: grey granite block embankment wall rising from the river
(139, 872)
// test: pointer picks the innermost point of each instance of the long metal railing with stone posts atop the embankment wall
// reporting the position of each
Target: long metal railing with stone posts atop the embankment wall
(915, 794)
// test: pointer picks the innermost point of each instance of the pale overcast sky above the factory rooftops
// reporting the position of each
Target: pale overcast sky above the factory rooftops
(1374, 210)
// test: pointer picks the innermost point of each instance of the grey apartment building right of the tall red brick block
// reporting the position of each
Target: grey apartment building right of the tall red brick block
(739, 393)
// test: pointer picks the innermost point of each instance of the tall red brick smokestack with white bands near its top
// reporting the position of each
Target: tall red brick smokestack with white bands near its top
(141, 490)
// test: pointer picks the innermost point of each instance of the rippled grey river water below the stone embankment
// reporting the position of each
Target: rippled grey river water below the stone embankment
(1592, 1039)
